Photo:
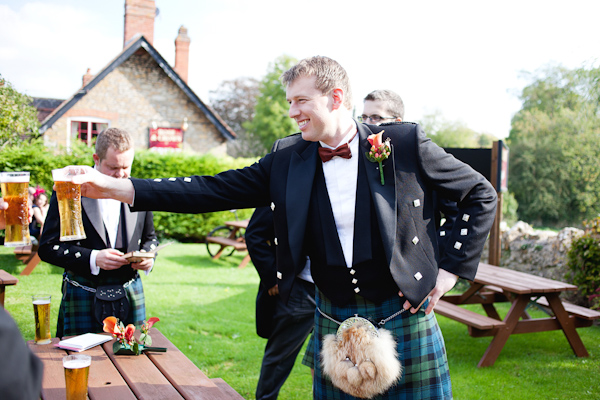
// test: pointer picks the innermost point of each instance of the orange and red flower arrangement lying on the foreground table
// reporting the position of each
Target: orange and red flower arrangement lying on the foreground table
(126, 343)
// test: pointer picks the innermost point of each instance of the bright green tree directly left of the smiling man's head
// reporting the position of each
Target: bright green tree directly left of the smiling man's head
(271, 120)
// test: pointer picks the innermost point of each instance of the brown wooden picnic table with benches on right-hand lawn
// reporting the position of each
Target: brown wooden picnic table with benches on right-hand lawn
(494, 285)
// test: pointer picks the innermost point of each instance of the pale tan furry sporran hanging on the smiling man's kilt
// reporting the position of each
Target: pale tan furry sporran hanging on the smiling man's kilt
(360, 359)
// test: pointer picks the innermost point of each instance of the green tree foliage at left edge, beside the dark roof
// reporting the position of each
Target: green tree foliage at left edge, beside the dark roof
(18, 119)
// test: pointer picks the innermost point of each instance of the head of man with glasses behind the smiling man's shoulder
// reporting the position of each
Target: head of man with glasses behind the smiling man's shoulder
(382, 106)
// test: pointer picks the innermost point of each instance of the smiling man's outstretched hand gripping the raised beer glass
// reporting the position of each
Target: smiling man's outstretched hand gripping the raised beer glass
(96, 185)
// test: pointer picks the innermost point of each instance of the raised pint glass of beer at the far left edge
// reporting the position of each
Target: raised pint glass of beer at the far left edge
(15, 193)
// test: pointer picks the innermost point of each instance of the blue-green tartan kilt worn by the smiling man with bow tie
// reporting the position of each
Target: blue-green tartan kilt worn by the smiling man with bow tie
(420, 345)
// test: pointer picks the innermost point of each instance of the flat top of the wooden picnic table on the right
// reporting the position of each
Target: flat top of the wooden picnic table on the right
(518, 282)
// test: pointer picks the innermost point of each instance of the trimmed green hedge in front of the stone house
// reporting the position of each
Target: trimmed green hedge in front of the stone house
(39, 160)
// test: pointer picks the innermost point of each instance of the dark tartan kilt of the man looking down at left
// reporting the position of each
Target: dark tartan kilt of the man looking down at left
(76, 314)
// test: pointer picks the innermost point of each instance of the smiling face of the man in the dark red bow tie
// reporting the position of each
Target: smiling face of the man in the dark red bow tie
(311, 109)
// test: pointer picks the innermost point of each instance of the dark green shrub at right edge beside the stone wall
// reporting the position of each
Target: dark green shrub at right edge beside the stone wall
(584, 263)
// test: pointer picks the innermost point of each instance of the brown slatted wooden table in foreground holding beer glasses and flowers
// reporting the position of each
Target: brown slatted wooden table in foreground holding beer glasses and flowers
(163, 376)
